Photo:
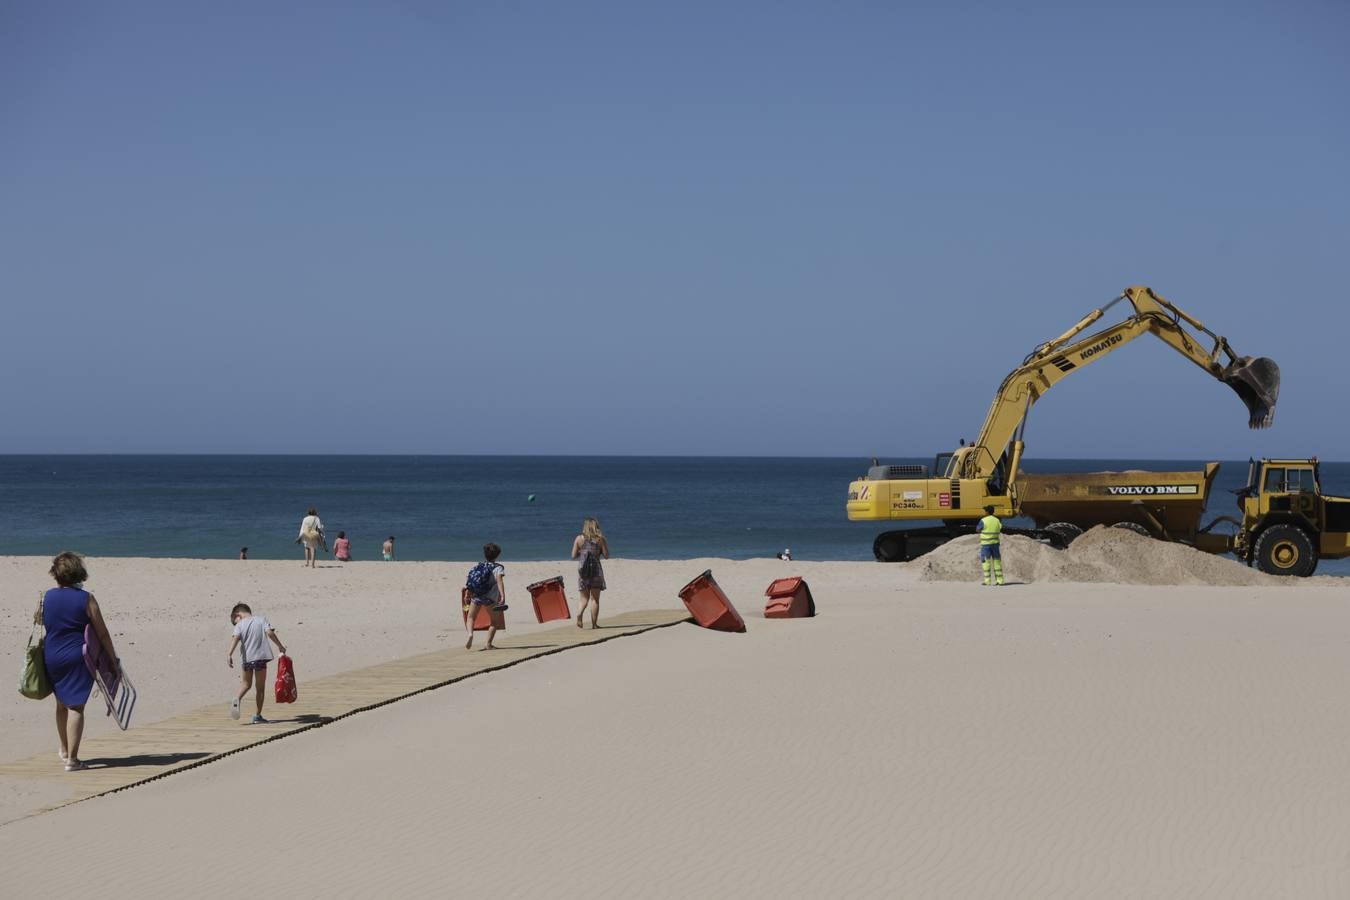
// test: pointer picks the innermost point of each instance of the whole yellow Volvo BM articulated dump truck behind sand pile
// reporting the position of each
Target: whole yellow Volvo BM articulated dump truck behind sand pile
(1285, 524)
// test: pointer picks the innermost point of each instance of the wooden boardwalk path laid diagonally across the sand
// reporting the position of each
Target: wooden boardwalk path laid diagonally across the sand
(144, 754)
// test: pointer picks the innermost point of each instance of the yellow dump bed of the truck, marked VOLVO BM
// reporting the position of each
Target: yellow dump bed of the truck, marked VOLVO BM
(1170, 505)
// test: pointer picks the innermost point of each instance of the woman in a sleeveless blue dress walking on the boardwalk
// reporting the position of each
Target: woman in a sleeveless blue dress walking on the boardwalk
(67, 611)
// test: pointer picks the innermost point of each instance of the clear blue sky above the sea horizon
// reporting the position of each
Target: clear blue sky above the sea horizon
(661, 229)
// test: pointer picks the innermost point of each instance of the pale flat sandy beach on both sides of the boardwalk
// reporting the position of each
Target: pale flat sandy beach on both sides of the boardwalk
(917, 739)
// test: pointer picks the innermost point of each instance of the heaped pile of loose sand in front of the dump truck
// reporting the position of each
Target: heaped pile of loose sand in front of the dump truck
(1102, 555)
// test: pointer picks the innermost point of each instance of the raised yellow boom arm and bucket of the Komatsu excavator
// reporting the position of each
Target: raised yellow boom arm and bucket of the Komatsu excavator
(1256, 381)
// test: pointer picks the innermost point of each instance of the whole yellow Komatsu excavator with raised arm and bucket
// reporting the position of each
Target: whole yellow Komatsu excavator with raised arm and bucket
(963, 482)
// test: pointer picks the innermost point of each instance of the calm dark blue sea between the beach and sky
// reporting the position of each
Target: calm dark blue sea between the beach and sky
(443, 508)
